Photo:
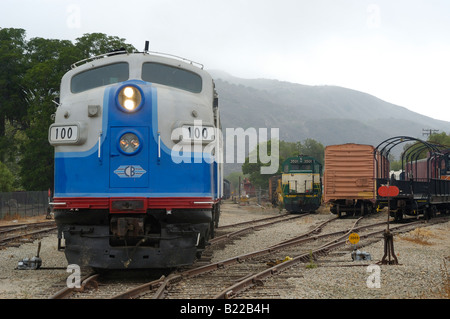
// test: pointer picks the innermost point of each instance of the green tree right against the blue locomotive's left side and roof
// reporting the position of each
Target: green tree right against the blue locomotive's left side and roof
(49, 60)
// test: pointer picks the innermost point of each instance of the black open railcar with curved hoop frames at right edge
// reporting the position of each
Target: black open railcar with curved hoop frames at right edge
(424, 184)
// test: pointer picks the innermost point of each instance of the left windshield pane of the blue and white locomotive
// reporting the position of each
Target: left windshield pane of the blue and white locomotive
(104, 75)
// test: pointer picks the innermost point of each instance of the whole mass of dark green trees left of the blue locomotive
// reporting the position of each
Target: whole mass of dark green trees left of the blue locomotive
(30, 75)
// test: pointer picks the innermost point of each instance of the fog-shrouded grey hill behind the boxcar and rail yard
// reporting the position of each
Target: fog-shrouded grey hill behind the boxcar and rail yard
(328, 114)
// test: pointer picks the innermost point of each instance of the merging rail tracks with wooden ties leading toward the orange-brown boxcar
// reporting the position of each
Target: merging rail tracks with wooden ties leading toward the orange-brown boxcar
(228, 278)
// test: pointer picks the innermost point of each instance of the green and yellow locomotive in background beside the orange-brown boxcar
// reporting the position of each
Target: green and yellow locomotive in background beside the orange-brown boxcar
(301, 184)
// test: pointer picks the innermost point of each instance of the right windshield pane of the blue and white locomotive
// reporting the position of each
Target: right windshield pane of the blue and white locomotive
(172, 76)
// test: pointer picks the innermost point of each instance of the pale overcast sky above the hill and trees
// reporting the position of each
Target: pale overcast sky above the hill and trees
(396, 50)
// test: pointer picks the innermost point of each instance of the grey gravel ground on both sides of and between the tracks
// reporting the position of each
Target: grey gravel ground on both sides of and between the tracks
(423, 254)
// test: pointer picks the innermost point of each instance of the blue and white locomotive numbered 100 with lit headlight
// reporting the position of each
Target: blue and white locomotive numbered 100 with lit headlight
(137, 177)
